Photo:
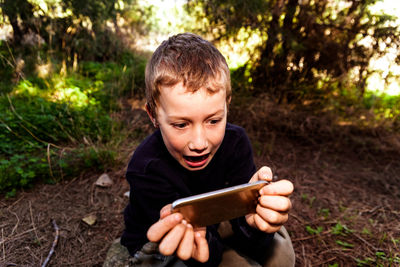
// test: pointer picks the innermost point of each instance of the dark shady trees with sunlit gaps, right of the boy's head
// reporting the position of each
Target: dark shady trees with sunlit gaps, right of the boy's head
(314, 54)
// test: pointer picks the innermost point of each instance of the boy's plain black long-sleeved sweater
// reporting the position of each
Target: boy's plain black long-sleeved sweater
(157, 179)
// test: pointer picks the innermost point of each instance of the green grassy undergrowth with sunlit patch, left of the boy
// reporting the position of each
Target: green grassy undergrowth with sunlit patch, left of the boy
(57, 127)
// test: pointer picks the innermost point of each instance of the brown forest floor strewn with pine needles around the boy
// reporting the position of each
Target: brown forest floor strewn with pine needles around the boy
(346, 203)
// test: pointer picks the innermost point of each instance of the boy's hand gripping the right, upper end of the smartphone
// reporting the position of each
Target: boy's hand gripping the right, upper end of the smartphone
(274, 203)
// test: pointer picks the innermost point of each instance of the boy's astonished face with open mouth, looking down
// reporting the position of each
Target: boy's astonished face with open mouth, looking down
(192, 124)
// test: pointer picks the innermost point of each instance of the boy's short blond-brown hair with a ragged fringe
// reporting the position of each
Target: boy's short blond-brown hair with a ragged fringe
(189, 59)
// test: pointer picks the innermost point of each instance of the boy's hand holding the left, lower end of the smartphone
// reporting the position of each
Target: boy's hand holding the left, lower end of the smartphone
(175, 235)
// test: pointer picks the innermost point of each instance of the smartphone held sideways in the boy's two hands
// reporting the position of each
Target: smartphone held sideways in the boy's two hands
(220, 205)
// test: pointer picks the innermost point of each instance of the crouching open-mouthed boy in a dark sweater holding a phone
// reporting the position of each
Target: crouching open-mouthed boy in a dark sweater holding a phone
(194, 150)
